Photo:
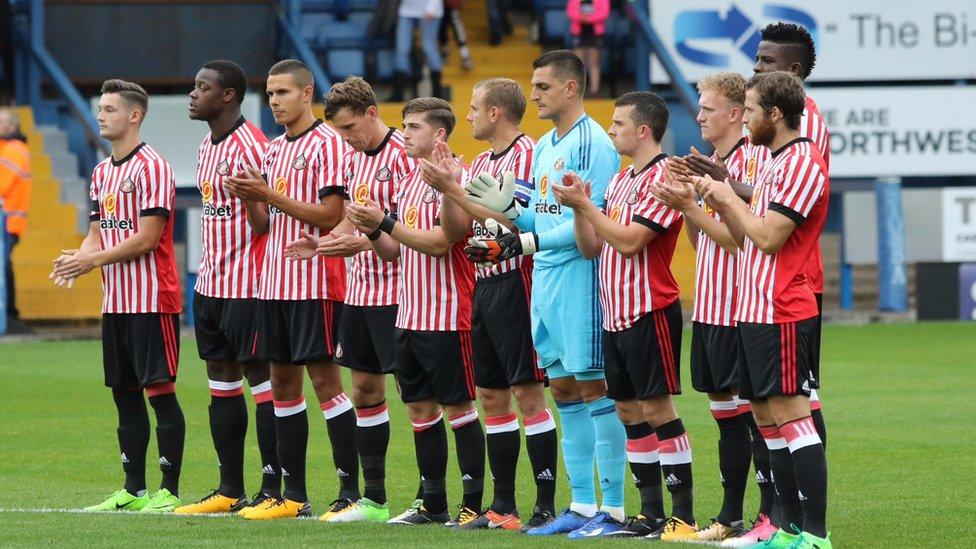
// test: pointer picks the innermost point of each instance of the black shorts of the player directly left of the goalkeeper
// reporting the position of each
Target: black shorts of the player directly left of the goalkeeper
(502, 333)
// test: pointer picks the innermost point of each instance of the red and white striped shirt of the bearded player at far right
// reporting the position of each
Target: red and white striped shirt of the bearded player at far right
(773, 289)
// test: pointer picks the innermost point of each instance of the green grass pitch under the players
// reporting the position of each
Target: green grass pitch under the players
(897, 398)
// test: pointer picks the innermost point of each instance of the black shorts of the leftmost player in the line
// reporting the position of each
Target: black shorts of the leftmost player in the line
(140, 349)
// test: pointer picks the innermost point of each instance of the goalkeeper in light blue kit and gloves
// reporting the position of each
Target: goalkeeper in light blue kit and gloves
(565, 305)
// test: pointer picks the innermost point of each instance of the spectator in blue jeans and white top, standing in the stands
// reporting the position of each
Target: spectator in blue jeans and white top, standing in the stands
(427, 15)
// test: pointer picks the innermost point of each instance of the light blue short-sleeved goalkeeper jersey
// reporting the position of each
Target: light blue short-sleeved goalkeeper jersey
(586, 150)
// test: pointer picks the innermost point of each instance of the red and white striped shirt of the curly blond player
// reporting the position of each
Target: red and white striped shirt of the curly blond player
(715, 268)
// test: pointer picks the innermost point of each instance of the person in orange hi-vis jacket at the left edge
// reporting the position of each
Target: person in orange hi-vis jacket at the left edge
(15, 192)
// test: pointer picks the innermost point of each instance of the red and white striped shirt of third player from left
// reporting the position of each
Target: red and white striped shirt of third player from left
(306, 167)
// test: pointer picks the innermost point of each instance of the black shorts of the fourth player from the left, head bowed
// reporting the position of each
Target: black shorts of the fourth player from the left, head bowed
(366, 337)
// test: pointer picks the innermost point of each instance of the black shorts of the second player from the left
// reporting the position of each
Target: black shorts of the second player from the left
(226, 329)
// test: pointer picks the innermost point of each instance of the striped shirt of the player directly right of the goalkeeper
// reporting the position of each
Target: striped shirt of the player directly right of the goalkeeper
(631, 287)
